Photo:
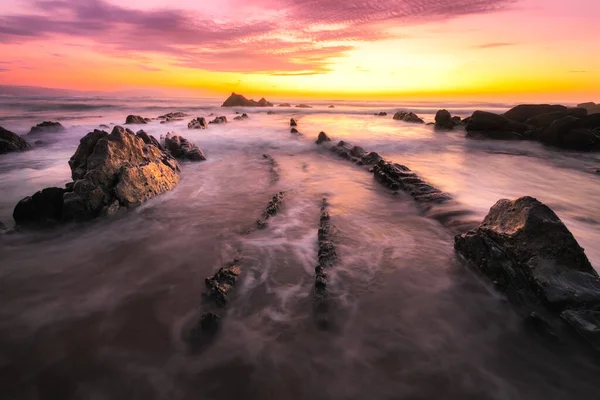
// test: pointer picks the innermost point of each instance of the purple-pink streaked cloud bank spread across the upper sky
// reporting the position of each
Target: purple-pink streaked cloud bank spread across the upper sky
(304, 39)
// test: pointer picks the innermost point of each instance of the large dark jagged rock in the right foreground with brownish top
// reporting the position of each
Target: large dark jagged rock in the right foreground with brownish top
(529, 254)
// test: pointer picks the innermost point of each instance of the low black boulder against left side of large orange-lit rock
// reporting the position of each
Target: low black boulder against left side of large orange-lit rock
(44, 208)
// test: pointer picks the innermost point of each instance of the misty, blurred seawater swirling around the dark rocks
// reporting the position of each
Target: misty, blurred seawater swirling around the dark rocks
(97, 311)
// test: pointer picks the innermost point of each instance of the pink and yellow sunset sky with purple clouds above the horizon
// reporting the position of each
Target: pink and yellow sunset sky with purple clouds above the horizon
(329, 49)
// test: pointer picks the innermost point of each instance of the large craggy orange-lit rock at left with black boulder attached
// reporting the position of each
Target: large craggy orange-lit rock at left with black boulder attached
(110, 172)
